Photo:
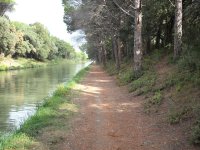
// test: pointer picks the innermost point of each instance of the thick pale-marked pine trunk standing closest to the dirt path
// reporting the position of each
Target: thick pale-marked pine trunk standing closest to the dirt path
(138, 36)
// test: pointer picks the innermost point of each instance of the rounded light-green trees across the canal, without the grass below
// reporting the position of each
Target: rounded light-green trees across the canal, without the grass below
(32, 41)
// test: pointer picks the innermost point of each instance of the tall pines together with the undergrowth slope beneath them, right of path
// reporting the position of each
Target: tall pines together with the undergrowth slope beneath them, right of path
(151, 46)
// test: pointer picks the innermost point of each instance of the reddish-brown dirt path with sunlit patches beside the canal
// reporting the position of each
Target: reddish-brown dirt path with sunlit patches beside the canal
(112, 119)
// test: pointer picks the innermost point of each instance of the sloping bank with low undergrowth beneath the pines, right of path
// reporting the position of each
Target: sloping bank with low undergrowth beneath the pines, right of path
(167, 86)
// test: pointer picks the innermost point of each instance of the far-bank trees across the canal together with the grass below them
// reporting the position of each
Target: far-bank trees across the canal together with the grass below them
(27, 46)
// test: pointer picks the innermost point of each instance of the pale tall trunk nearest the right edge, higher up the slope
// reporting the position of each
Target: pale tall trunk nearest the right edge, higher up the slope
(178, 29)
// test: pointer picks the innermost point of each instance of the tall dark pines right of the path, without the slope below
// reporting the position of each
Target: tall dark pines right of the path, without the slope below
(116, 29)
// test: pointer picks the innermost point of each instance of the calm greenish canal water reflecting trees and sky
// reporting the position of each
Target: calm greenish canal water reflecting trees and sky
(21, 91)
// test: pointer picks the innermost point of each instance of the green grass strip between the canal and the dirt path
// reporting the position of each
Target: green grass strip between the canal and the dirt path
(51, 118)
